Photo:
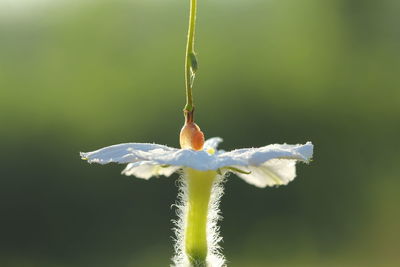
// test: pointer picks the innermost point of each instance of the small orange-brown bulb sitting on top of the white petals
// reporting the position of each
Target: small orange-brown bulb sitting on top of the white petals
(191, 136)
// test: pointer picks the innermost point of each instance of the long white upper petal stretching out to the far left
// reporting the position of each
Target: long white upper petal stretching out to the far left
(125, 153)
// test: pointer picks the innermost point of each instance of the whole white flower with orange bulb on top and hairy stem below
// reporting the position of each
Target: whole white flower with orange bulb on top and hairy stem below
(200, 188)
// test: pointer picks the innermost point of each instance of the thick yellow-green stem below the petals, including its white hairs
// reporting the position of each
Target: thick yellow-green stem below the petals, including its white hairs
(197, 233)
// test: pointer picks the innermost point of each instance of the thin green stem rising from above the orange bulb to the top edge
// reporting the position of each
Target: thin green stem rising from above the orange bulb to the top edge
(190, 59)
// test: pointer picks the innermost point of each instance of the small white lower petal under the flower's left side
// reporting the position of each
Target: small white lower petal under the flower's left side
(146, 170)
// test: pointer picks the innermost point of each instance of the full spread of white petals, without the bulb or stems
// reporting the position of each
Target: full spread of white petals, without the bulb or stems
(265, 166)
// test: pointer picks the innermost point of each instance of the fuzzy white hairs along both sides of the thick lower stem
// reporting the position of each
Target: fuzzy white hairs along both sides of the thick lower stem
(215, 258)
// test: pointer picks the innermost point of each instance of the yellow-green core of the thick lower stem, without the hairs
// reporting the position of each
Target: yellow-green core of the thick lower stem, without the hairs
(199, 191)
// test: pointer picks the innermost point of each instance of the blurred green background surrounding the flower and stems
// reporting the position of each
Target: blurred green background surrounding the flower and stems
(77, 76)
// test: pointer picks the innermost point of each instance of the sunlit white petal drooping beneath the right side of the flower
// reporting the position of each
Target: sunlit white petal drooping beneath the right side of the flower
(272, 172)
